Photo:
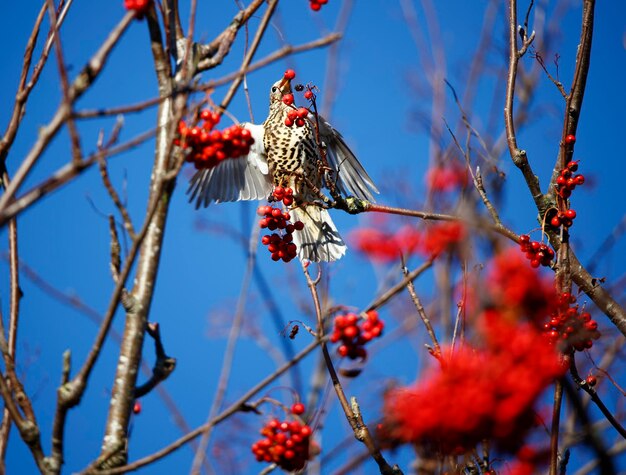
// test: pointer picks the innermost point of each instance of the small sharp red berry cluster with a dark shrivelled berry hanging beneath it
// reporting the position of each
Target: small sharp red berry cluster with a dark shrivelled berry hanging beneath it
(354, 334)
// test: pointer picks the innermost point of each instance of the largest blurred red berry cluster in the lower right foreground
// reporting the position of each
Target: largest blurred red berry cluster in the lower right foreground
(487, 392)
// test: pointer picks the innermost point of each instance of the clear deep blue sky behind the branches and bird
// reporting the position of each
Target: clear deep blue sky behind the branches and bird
(65, 236)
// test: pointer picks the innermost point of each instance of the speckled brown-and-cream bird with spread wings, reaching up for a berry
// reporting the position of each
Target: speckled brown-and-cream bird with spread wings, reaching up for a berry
(287, 155)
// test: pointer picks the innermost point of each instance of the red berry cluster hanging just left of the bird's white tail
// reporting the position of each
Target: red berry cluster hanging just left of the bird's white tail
(279, 245)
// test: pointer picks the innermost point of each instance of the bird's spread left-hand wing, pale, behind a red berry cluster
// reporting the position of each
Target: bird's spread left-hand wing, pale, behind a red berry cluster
(234, 179)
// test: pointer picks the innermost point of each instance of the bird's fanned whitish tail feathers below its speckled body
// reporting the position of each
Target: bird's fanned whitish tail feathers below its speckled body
(319, 240)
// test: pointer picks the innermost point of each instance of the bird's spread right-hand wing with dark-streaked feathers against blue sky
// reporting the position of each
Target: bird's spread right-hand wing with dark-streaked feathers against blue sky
(351, 179)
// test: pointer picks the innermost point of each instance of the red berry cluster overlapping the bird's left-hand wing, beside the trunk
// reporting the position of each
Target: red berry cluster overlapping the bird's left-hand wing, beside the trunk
(209, 146)
